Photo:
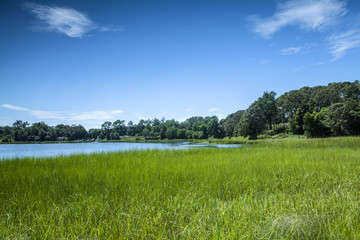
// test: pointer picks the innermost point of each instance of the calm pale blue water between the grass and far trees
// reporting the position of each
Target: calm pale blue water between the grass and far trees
(50, 150)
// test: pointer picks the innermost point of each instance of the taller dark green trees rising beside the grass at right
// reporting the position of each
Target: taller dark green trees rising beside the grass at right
(321, 111)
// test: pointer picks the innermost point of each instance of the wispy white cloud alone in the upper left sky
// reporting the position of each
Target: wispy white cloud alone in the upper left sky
(64, 20)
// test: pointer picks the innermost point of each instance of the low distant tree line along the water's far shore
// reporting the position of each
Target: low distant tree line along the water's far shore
(192, 128)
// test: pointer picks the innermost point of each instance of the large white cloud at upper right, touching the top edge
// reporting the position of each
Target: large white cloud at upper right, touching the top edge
(305, 14)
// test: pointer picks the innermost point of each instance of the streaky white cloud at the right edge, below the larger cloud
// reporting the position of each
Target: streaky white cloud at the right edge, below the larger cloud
(341, 43)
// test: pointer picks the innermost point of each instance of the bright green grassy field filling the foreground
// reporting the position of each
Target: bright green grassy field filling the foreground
(290, 189)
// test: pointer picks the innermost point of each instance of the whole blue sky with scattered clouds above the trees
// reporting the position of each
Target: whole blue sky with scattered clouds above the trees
(87, 62)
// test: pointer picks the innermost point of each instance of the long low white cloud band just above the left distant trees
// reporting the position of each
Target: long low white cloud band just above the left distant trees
(69, 116)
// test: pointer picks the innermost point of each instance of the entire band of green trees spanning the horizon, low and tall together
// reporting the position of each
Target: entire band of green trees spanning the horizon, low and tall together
(321, 111)
